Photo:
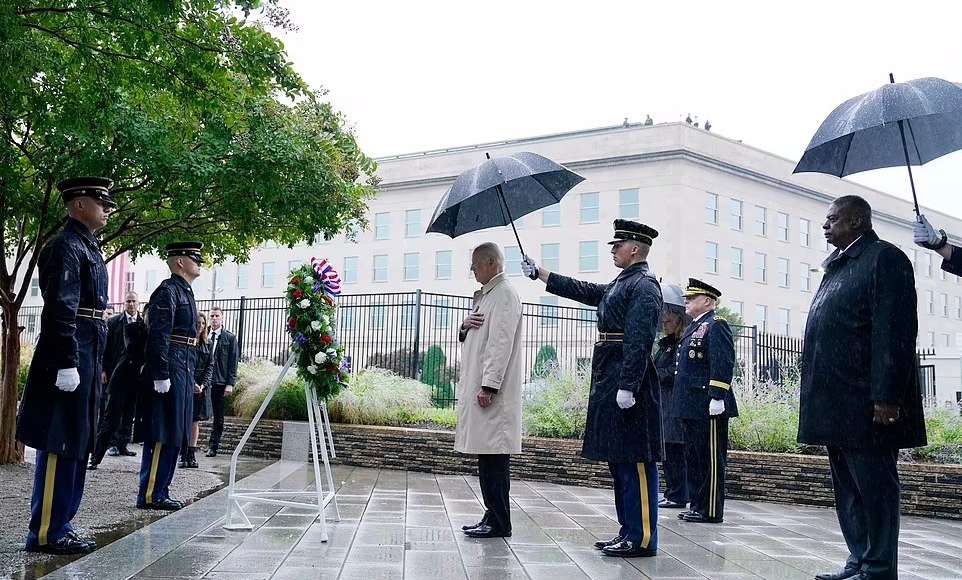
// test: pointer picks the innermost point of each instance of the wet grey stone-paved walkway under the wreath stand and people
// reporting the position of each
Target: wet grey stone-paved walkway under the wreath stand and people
(406, 526)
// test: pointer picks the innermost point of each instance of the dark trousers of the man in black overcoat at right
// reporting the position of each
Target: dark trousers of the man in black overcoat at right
(867, 501)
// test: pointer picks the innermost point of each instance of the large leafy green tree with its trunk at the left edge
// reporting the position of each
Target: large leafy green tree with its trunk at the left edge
(194, 111)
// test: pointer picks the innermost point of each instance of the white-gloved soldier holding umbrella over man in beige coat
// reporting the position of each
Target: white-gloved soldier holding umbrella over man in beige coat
(624, 416)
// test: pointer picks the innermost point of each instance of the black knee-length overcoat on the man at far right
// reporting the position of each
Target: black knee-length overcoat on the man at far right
(860, 348)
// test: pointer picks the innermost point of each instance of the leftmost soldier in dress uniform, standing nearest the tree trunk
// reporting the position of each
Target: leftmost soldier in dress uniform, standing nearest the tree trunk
(58, 413)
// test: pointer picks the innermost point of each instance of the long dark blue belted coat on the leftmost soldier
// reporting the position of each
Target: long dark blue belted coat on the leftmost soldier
(72, 275)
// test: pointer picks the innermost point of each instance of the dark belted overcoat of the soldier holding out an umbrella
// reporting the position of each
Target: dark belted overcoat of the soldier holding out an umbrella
(631, 304)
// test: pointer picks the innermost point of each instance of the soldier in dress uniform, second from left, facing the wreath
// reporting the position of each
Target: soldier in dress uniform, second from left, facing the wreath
(165, 412)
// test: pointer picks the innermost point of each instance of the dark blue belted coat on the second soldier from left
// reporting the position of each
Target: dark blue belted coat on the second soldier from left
(166, 418)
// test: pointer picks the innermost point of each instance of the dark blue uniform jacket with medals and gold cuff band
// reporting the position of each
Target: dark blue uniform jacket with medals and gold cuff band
(706, 364)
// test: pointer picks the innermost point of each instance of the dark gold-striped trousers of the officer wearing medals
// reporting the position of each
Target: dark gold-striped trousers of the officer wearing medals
(706, 450)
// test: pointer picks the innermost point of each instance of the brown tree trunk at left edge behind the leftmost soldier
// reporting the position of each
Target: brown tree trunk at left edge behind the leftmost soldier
(11, 451)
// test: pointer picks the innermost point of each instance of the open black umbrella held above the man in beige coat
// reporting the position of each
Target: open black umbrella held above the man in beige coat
(499, 191)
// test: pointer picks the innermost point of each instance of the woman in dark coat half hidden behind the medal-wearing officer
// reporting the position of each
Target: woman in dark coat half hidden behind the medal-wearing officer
(674, 322)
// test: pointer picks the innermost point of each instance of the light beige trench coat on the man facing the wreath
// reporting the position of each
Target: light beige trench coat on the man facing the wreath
(491, 357)
